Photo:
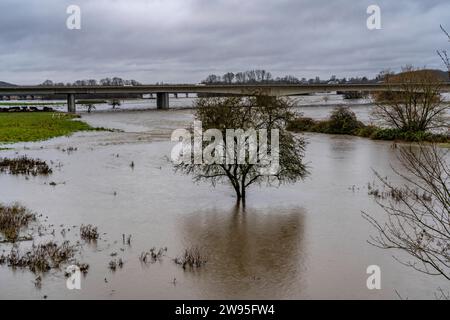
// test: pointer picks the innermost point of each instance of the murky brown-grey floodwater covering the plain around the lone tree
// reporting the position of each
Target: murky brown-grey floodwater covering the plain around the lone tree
(300, 241)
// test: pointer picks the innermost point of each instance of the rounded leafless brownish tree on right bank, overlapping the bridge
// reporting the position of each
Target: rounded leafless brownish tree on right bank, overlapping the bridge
(412, 102)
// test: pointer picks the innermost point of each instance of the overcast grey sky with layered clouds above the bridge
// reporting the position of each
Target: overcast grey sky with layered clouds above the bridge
(185, 40)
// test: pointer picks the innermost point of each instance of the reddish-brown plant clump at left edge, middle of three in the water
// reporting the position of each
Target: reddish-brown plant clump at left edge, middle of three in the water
(13, 219)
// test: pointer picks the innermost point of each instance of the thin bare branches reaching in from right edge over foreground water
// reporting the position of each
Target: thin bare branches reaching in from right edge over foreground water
(418, 217)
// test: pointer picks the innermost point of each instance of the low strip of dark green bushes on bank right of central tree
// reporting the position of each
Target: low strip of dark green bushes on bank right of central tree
(343, 121)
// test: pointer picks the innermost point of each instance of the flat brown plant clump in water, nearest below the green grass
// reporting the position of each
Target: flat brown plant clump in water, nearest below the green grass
(24, 166)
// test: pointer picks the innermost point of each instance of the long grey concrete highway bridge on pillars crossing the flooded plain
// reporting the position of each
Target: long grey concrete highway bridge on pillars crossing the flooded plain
(162, 91)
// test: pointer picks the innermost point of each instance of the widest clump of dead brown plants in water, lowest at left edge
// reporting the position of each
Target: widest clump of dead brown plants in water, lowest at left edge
(40, 258)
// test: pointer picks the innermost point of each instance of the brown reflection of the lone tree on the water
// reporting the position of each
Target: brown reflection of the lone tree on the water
(252, 253)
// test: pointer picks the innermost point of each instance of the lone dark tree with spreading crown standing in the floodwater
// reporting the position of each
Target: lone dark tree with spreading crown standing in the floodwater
(251, 114)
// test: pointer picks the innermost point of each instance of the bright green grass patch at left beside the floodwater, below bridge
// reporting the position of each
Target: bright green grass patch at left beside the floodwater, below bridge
(33, 126)
